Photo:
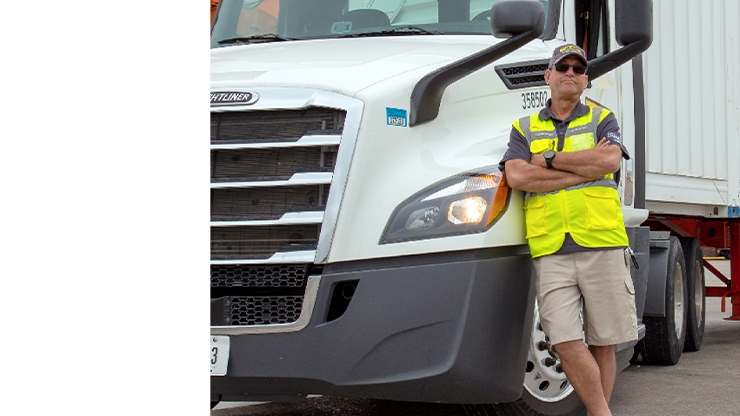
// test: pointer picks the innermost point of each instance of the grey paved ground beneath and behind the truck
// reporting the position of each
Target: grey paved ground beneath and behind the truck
(703, 383)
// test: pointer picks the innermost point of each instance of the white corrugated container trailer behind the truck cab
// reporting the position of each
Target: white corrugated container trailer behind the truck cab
(692, 82)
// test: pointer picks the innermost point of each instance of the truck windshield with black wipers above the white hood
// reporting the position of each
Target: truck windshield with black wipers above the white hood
(257, 21)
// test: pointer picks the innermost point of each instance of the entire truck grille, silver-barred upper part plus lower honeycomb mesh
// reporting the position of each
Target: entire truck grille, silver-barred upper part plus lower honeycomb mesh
(271, 177)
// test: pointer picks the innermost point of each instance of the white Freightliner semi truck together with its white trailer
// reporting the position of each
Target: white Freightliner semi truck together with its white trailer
(365, 242)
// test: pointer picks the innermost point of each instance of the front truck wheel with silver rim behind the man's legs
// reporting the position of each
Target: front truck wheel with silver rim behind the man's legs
(546, 389)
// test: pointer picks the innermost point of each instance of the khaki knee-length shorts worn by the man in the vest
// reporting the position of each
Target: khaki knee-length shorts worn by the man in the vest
(602, 280)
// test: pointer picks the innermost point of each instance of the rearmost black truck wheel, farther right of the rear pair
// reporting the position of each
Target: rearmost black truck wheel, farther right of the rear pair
(696, 314)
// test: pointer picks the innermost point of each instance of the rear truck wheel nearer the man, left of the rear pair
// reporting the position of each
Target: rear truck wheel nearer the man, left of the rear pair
(665, 336)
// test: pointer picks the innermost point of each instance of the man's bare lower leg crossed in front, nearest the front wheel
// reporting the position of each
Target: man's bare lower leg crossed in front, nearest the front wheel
(584, 374)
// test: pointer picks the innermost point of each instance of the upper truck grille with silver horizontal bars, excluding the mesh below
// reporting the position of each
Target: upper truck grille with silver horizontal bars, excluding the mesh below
(256, 180)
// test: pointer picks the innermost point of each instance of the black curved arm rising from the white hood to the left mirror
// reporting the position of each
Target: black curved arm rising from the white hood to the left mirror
(427, 94)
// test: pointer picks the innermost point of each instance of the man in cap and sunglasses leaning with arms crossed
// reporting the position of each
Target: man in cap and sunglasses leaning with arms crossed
(564, 158)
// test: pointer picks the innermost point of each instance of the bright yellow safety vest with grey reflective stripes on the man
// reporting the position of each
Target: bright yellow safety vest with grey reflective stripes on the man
(591, 212)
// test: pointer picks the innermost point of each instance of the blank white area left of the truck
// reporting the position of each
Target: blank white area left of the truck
(104, 220)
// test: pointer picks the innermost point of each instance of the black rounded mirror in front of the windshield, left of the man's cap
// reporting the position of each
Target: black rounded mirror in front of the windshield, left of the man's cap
(512, 17)
